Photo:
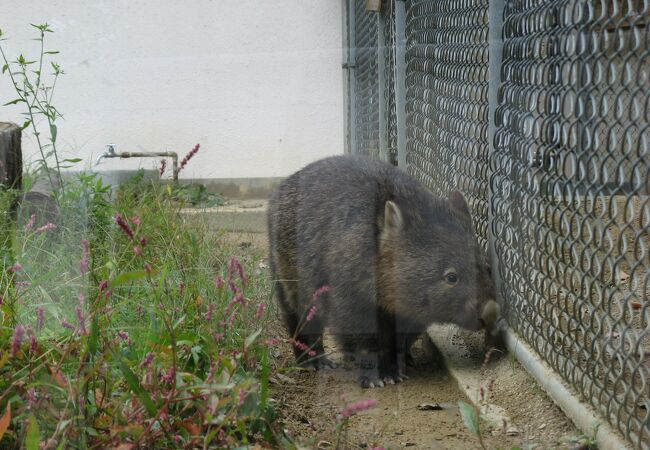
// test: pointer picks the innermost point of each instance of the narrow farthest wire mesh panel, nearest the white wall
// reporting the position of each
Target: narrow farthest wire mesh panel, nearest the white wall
(366, 95)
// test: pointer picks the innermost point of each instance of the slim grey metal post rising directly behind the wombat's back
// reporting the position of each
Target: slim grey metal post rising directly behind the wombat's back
(400, 80)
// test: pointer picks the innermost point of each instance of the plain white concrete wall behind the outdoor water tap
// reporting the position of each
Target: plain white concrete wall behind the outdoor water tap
(257, 83)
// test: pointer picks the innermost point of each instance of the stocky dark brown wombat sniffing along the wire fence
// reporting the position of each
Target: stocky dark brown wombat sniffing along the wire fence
(388, 258)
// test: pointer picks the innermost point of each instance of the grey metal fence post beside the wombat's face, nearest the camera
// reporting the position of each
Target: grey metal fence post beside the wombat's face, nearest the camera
(495, 49)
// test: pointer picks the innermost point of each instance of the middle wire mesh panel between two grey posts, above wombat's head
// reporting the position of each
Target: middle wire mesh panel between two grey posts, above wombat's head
(446, 98)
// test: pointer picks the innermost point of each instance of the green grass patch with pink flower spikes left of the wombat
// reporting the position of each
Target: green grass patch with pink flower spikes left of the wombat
(167, 349)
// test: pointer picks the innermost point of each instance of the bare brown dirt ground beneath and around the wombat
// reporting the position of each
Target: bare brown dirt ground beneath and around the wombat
(310, 403)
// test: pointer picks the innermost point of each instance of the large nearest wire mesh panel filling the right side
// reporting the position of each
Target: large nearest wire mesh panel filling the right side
(570, 196)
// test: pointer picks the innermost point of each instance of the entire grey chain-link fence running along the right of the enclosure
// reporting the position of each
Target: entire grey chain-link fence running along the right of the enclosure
(559, 186)
